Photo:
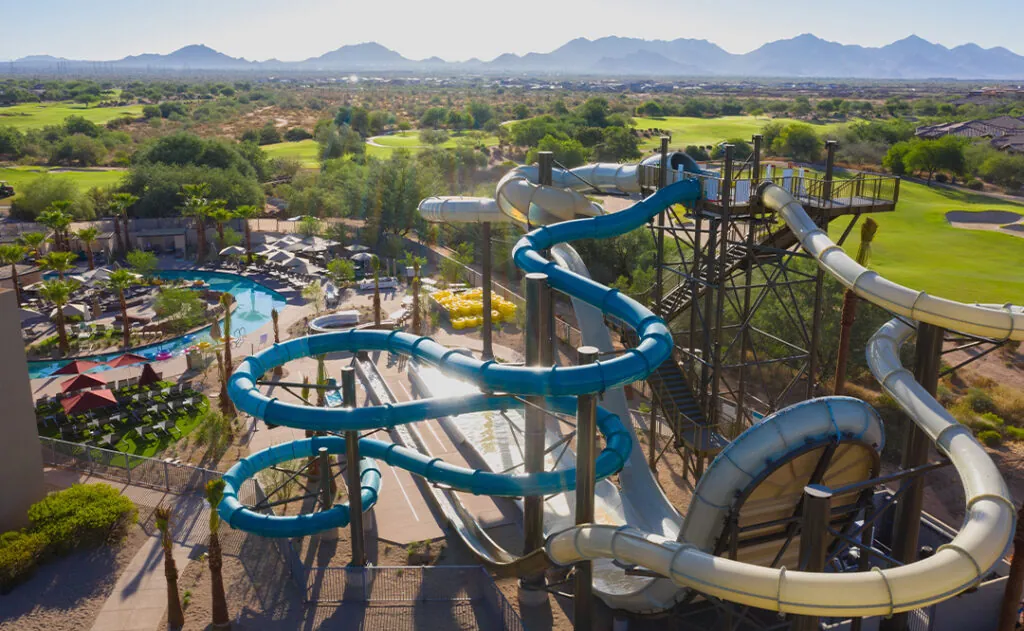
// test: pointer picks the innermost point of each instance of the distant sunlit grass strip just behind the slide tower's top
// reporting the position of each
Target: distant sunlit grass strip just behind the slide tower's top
(702, 132)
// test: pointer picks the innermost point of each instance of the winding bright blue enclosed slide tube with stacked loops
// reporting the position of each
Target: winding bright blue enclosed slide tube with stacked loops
(655, 347)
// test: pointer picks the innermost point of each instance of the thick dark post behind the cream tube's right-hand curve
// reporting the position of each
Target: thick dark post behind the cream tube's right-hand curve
(907, 523)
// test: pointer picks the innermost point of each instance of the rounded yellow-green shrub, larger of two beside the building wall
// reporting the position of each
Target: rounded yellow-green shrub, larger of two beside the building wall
(81, 516)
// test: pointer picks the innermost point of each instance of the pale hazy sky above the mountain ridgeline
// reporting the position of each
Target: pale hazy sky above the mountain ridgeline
(291, 30)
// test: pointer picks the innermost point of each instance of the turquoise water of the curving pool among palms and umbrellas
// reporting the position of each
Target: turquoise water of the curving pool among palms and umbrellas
(254, 306)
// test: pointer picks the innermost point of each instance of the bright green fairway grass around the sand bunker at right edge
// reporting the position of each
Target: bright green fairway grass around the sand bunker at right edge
(915, 246)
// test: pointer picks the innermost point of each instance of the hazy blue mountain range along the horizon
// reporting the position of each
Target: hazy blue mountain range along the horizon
(805, 56)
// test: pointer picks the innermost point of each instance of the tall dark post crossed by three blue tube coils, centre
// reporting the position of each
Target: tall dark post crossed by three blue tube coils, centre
(539, 353)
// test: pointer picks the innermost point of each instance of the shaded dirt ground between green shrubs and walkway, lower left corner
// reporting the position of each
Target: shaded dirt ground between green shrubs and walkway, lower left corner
(68, 594)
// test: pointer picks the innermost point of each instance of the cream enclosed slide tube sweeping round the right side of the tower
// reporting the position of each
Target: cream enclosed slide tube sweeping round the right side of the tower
(955, 568)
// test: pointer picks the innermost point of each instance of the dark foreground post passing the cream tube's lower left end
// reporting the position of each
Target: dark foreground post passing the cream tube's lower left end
(583, 604)
